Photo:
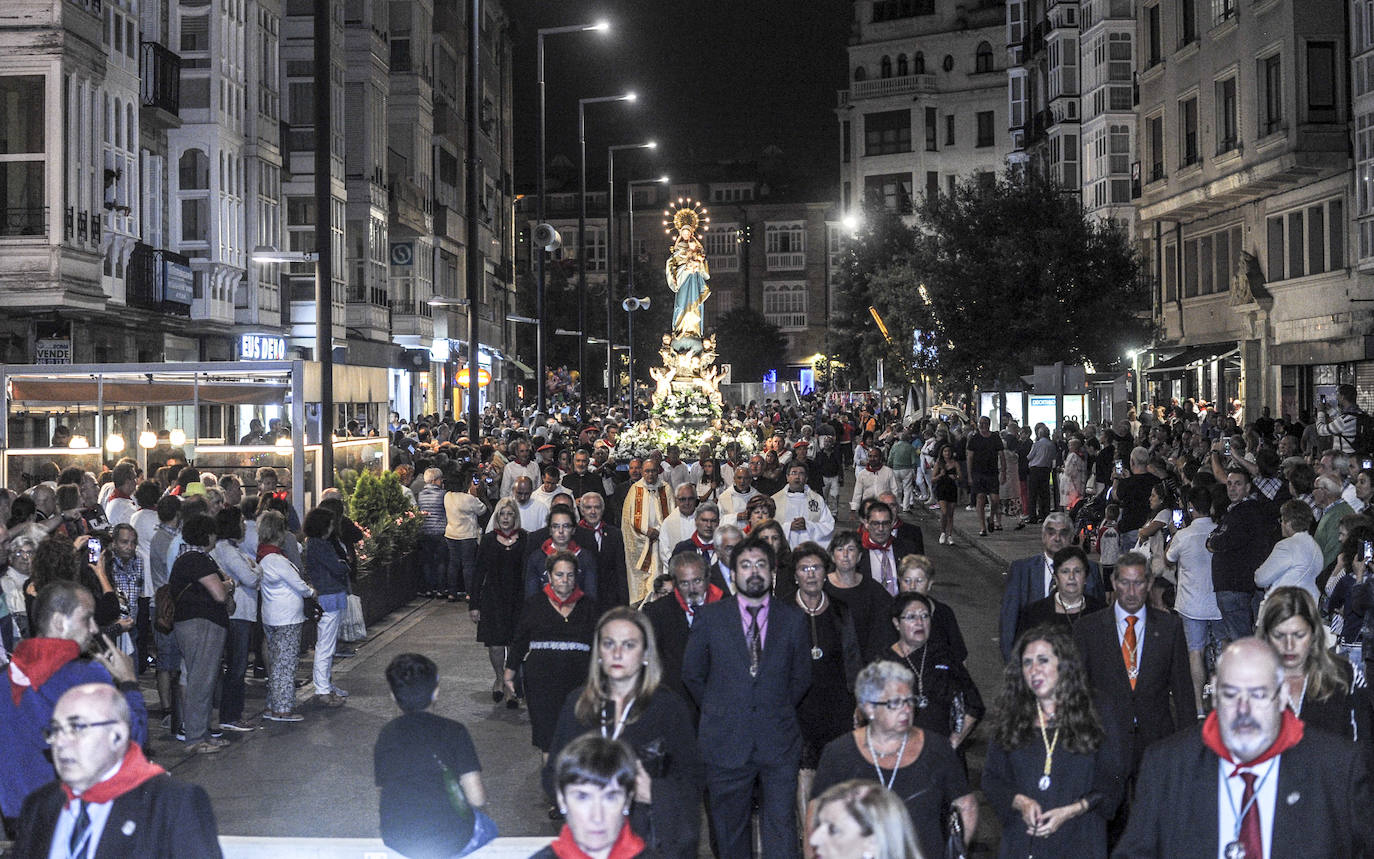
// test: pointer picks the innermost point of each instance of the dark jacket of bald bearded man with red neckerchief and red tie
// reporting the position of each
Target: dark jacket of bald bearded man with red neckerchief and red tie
(1321, 806)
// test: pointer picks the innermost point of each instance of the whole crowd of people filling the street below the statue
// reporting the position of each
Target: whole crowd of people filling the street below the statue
(715, 638)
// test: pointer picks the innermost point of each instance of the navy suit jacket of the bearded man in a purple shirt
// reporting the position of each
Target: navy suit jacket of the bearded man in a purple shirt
(748, 719)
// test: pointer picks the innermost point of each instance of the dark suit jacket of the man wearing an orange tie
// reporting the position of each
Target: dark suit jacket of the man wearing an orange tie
(1163, 699)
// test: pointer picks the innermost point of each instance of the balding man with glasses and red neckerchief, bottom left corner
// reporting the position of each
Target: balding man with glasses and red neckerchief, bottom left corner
(109, 801)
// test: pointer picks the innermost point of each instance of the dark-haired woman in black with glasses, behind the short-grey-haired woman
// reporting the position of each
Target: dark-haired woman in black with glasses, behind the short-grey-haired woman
(947, 702)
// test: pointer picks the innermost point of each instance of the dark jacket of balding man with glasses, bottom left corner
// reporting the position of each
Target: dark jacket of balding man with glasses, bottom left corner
(159, 818)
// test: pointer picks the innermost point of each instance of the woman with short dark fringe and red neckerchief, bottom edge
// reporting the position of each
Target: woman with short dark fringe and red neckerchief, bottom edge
(594, 783)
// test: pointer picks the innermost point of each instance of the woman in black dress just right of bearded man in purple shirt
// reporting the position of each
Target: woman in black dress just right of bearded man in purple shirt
(828, 711)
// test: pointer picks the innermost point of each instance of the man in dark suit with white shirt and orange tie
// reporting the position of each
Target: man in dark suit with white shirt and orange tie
(1137, 662)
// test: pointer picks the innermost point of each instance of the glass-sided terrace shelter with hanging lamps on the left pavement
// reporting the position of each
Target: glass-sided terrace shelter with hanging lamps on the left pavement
(150, 412)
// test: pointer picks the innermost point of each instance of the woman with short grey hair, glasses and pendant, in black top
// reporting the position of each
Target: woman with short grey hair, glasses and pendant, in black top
(920, 768)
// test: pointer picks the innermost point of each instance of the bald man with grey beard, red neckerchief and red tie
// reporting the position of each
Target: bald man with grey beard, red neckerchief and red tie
(1251, 777)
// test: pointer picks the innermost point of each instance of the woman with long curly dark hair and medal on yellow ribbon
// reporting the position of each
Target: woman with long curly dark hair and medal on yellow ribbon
(1052, 774)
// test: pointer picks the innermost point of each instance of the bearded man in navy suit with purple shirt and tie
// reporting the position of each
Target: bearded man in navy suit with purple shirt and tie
(748, 666)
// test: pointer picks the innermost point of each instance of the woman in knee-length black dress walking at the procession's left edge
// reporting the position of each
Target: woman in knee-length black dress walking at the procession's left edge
(497, 589)
